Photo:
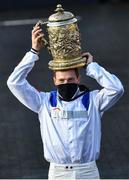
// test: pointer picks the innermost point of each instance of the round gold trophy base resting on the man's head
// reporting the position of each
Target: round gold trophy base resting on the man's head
(67, 64)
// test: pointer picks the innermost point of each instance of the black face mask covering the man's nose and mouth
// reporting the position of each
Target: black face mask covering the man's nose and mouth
(67, 91)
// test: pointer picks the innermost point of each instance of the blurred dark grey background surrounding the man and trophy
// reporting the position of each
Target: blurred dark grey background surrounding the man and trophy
(104, 28)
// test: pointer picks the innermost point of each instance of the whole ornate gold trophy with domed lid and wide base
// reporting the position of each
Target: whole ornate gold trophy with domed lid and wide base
(64, 41)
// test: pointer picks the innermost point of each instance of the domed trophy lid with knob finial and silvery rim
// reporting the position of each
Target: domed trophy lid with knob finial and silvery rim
(61, 17)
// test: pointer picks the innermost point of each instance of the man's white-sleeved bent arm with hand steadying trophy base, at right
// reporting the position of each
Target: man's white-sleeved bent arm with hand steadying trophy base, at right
(112, 88)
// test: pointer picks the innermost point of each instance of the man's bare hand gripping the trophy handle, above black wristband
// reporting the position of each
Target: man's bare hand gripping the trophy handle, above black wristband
(37, 38)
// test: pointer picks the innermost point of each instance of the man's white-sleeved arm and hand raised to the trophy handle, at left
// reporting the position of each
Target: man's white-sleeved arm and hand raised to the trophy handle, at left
(17, 82)
